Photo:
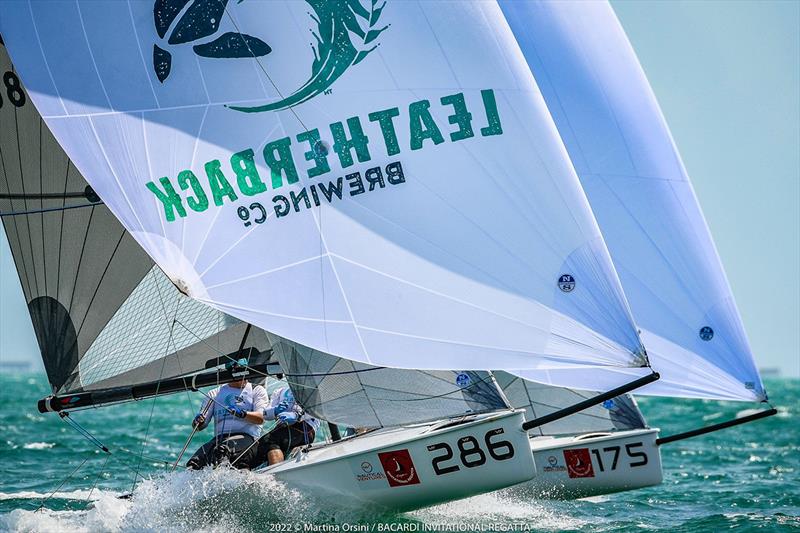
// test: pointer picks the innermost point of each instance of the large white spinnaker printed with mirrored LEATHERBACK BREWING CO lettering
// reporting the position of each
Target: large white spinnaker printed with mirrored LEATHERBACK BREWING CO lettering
(438, 223)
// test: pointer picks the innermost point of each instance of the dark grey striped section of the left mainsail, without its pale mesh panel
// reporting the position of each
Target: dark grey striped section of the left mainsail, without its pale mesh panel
(76, 265)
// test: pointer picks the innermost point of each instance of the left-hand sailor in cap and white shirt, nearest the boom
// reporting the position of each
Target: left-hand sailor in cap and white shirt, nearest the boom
(237, 409)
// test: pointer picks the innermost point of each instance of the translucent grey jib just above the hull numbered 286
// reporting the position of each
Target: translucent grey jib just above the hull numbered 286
(360, 395)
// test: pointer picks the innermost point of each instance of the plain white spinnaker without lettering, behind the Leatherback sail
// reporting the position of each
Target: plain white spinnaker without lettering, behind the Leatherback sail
(644, 202)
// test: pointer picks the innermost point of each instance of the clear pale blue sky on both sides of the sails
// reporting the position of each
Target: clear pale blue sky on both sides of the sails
(727, 77)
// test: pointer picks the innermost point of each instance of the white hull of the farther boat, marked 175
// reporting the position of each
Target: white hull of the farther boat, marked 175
(593, 464)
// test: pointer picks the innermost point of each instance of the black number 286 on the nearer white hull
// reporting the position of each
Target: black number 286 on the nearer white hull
(470, 452)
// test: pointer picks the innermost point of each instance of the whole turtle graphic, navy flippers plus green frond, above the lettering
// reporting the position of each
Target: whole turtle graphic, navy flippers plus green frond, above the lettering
(346, 33)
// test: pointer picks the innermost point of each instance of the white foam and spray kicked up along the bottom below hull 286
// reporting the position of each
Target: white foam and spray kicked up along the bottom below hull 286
(233, 500)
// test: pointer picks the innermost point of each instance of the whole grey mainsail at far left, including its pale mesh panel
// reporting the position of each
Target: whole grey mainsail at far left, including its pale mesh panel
(103, 314)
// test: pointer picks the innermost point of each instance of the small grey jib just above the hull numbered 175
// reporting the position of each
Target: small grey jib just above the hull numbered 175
(539, 400)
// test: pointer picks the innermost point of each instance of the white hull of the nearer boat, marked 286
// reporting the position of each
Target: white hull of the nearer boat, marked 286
(407, 468)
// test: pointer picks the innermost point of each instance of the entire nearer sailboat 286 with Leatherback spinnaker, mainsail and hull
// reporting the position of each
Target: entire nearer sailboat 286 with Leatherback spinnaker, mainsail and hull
(429, 253)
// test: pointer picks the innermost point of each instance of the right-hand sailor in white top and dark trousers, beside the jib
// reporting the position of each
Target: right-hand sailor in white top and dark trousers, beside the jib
(294, 427)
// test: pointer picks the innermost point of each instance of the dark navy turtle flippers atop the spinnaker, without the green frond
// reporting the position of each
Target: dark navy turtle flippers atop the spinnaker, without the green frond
(198, 20)
